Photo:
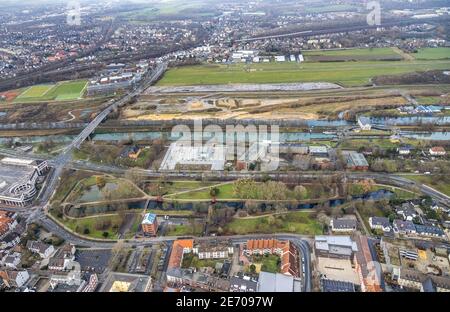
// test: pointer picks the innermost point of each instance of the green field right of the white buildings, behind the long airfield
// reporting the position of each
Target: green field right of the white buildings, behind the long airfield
(375, 54)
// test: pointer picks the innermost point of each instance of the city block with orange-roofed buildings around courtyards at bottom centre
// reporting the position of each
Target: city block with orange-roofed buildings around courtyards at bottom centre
(220, 278)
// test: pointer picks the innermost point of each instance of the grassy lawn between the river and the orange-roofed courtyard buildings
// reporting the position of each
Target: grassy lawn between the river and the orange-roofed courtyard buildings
(294, 222)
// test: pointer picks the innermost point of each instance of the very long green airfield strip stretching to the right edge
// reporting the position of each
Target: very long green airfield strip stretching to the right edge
(344, 73)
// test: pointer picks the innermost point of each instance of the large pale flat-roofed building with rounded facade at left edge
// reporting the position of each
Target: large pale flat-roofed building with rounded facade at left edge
(18, 179)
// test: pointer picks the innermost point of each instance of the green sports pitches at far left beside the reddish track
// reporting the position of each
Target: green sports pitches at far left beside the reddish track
(63, 91)
